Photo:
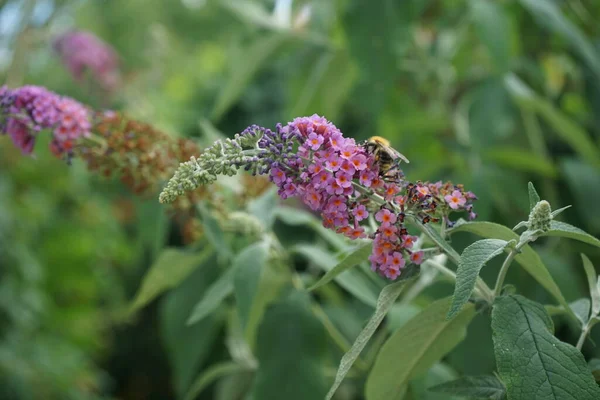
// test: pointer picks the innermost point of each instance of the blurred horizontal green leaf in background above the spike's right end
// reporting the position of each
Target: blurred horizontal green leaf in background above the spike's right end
(521, 160)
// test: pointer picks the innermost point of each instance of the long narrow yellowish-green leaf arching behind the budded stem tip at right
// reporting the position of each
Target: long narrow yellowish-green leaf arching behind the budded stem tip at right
(528, 258)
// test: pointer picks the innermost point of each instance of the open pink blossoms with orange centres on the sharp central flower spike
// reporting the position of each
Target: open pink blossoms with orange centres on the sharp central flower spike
(336, 177)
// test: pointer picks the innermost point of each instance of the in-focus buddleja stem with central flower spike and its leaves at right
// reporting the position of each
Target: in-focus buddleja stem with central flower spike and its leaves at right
(309, 158)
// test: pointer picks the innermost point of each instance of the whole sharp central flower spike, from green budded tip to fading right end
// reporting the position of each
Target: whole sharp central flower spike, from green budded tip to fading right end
(310, 158)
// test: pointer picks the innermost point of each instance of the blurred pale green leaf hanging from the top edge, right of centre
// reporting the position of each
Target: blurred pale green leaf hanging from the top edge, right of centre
(493, 28)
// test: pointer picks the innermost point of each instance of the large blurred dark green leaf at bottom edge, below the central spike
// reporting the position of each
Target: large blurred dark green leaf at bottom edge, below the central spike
(188, 346)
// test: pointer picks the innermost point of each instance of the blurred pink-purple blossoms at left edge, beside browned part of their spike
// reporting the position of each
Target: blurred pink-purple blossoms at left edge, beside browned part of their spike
(25, 111)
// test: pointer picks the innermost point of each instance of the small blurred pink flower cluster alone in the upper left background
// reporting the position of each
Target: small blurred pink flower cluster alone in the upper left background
(81, 51)
